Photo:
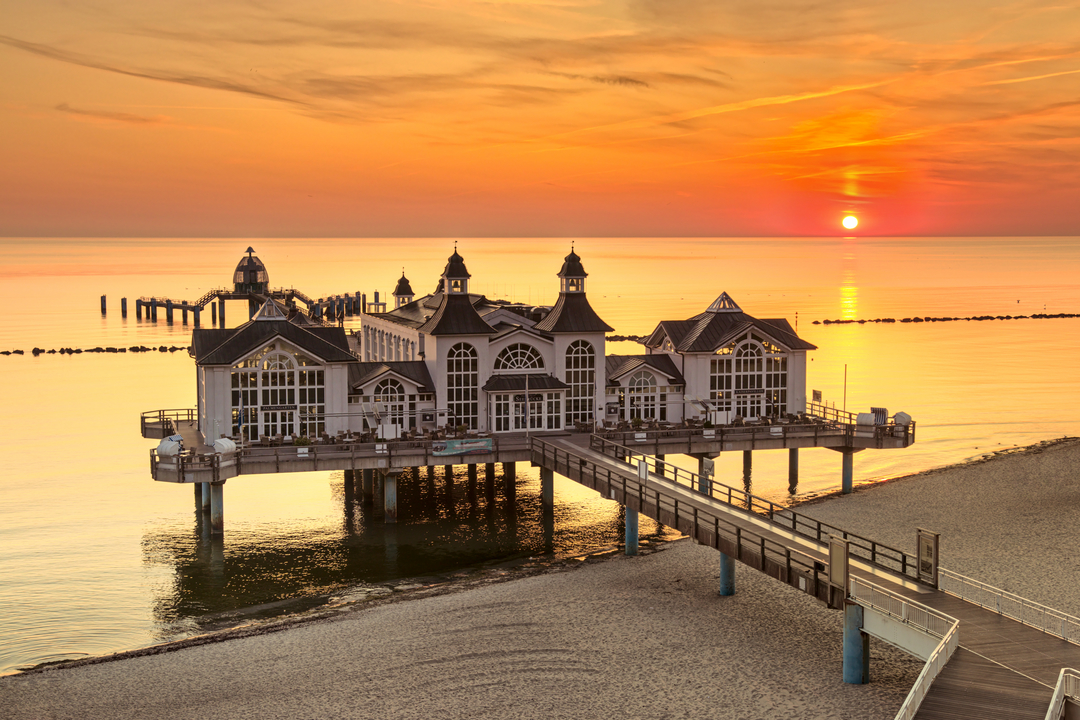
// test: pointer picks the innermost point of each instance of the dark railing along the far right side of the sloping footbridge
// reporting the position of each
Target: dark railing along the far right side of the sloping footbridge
(870, 551)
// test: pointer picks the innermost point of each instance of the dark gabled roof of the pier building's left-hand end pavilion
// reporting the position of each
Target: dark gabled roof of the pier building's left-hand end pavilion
(227, 347)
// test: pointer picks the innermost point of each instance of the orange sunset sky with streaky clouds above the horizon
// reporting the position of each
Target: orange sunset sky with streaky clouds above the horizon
(515, 118)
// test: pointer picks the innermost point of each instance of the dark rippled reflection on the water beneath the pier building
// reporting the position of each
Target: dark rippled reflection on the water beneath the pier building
(445, 524)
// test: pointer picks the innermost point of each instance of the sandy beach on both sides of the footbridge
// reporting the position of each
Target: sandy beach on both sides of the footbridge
(645, 637)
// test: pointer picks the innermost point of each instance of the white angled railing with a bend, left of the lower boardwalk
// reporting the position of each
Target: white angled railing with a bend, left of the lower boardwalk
(917, 616)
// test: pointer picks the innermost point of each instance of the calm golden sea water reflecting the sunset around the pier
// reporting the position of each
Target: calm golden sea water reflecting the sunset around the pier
(96, 558)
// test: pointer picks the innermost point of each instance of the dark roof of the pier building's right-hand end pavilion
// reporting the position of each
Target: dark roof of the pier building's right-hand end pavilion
(711, 331)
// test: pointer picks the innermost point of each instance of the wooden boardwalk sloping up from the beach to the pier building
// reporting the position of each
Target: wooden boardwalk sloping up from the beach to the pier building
(1003, 670)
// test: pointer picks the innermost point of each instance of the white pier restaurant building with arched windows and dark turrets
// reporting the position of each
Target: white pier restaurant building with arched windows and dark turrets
(457, 360)
